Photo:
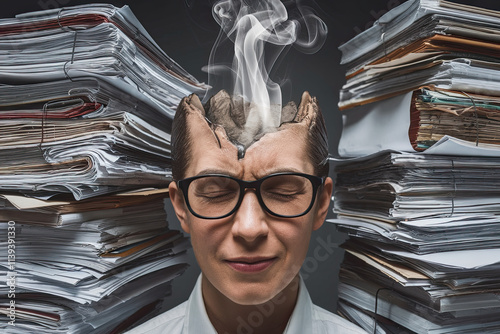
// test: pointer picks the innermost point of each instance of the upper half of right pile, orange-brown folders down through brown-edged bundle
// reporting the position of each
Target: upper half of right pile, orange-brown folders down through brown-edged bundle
(429, 65)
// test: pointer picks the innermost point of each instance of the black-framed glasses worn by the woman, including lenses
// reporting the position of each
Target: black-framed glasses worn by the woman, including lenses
(286, 195)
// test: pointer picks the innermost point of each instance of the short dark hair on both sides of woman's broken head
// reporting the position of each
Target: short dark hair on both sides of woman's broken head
(317, 145)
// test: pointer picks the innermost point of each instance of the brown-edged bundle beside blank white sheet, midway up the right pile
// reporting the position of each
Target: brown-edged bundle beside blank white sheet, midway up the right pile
(430, 120)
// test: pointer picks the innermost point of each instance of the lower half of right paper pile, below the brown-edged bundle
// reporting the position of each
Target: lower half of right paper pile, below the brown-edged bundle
(424, 246)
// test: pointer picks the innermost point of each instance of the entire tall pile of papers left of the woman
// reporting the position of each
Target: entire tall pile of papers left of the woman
(86, 103)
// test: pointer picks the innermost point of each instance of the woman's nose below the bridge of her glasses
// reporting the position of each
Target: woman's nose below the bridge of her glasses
(250, 219)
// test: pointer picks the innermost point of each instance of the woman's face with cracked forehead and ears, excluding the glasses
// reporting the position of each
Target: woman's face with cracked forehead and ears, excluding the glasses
(250, 256)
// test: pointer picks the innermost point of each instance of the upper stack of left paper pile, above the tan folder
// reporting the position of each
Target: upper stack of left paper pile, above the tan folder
(86, 103)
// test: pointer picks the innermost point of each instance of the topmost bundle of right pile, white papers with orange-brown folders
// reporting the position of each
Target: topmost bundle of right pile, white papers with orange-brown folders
(422, 42)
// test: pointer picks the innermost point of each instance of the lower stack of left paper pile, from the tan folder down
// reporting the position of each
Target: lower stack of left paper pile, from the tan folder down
(88, 266)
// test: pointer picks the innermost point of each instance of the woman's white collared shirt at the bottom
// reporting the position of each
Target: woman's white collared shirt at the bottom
(191, 317)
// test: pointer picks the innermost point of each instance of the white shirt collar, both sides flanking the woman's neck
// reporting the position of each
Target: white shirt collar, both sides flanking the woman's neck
(197, 321)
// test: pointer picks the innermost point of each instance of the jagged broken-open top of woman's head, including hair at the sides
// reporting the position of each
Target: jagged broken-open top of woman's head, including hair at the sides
(221, 121)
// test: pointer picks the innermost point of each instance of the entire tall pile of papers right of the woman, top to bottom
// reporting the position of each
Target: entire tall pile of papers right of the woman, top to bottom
(421, 205)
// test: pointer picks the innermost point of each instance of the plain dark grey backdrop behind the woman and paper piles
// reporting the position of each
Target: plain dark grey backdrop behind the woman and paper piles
(186, 31)
